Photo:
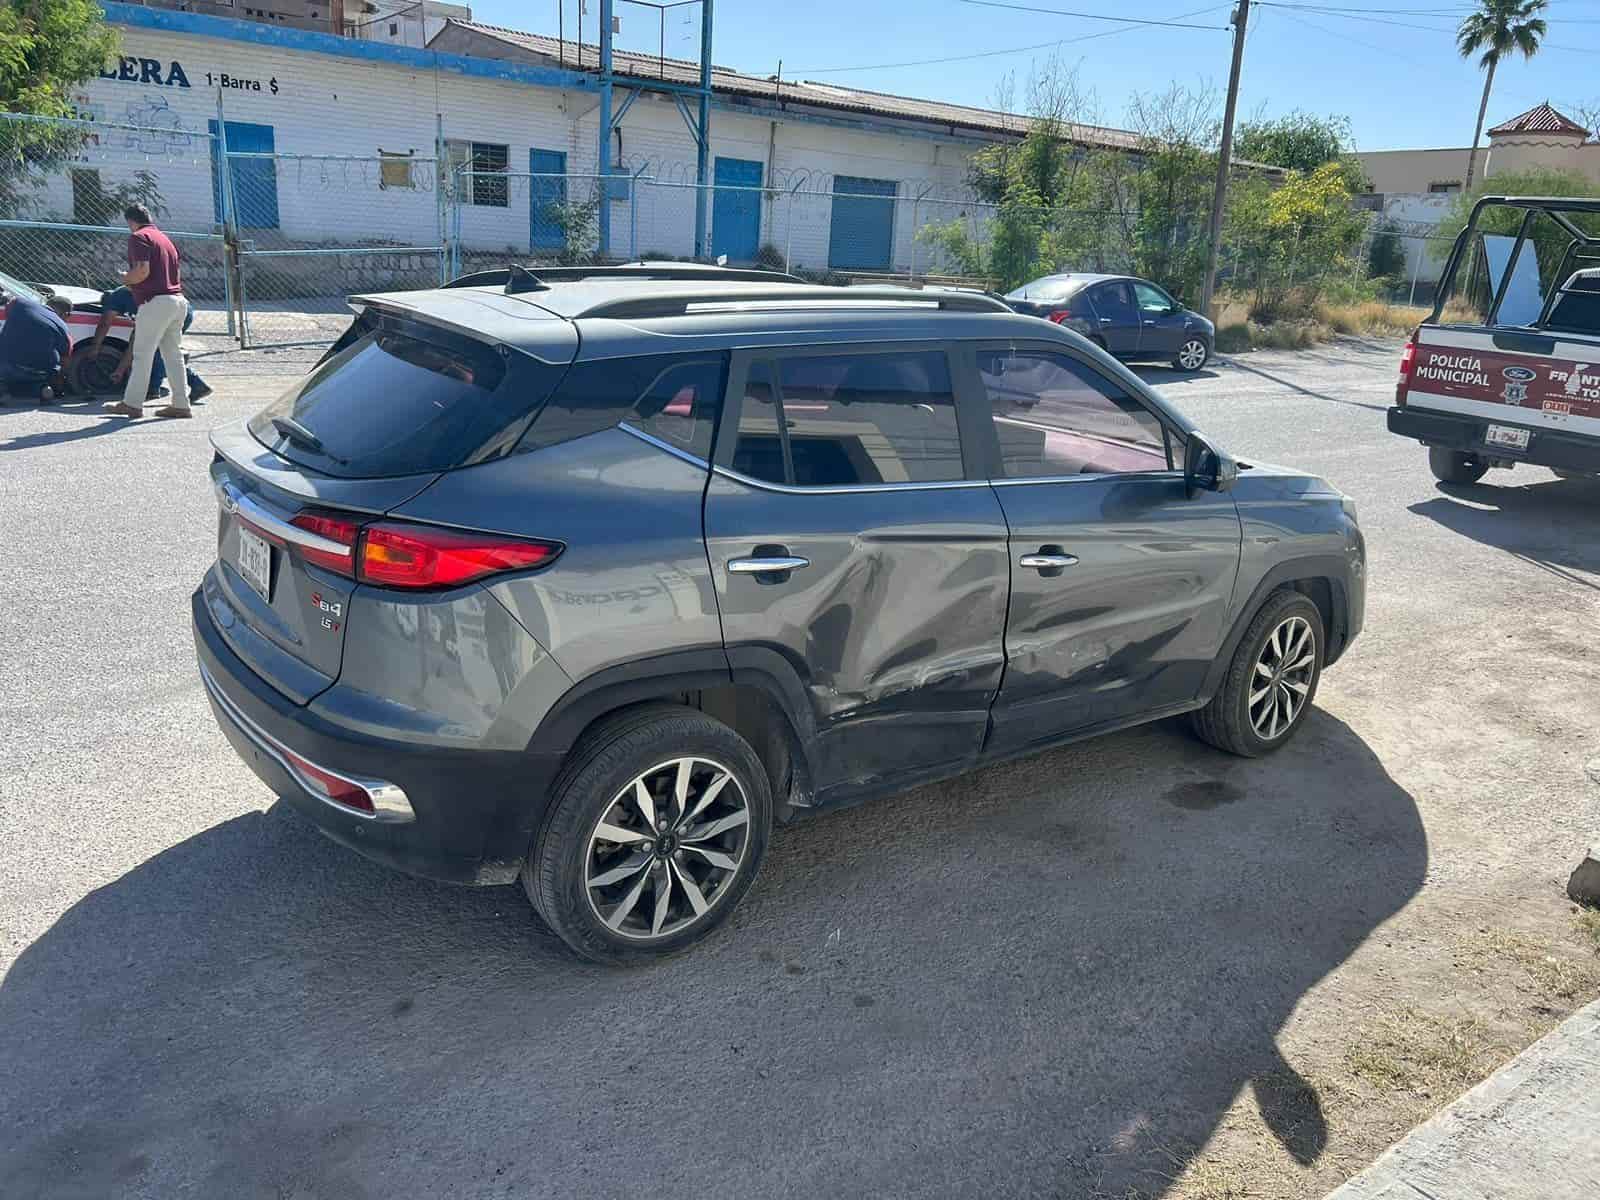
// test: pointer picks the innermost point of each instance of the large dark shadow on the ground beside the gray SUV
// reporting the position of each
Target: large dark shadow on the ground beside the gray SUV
(1050, 978)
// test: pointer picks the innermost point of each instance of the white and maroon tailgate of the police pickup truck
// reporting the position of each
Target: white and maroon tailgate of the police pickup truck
(1538, 382)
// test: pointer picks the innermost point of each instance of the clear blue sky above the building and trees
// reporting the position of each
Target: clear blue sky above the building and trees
(1393, 71)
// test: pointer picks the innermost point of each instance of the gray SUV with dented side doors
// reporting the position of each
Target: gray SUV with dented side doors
(591, 582)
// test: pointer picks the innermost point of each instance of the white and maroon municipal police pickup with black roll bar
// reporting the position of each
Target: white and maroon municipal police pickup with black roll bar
(1498, 375)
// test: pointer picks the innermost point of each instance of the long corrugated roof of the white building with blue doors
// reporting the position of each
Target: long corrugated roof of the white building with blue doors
(732, 82)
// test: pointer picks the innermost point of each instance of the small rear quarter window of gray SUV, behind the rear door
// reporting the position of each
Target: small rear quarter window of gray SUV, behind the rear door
(665, 396)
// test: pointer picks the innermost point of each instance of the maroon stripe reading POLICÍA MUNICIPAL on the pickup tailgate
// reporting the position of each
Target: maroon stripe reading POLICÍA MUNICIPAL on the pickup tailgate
(1514, 380)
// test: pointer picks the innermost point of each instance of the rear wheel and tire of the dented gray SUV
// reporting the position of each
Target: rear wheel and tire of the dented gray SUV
(657, 830)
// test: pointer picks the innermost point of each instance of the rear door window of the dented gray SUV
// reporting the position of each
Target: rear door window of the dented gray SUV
(849, 420)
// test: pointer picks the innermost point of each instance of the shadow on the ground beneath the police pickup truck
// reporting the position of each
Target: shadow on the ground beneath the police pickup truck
(1553, 526)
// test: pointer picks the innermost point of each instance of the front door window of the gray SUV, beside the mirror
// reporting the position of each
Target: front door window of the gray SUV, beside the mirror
(1058, 417)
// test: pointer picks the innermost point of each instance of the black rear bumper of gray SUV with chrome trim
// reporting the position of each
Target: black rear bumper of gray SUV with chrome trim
(473, 814)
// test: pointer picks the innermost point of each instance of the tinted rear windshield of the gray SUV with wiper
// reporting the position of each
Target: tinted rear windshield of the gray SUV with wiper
(401, 398)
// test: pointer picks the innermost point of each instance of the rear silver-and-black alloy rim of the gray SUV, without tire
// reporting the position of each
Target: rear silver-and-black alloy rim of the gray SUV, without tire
(666, 849)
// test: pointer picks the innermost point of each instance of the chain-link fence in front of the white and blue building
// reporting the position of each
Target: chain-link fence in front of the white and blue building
(274, 239)
